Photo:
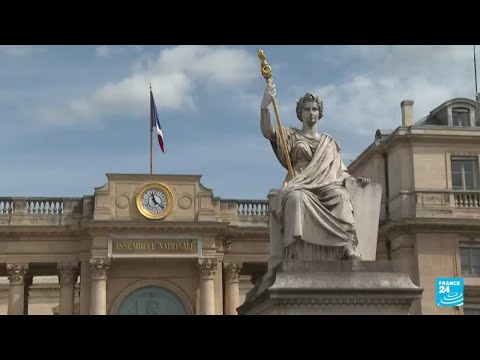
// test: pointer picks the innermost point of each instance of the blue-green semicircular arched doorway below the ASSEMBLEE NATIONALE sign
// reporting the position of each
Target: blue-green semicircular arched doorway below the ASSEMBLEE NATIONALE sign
(151, 300)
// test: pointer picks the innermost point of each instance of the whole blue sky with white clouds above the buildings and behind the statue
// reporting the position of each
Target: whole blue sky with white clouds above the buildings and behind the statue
(72, 114)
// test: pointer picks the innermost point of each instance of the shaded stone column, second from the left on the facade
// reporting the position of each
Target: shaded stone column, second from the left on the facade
(68, 274)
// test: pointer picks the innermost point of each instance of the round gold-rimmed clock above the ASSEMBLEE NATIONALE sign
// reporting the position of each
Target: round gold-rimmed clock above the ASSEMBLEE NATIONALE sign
(155, 201)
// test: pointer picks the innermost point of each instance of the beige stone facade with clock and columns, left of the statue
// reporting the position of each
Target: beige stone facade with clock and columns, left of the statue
(100, 255)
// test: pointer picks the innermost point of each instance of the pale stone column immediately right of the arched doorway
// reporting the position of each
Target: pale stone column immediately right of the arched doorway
(207, 268)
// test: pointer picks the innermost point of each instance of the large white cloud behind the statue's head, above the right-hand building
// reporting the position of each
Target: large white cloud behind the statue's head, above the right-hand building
(370, 98)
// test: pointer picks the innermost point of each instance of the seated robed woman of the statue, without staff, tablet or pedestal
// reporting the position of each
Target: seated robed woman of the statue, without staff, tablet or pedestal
(312, 215)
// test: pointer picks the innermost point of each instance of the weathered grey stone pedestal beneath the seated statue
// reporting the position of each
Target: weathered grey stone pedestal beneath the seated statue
(334, 288)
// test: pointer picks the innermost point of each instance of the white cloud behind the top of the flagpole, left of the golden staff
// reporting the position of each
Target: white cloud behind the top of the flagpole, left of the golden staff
(176, 75)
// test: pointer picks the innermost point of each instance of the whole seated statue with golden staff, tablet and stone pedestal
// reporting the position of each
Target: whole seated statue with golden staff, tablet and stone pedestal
(314, 236)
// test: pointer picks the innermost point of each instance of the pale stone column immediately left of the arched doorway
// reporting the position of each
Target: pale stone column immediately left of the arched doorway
(98, 276)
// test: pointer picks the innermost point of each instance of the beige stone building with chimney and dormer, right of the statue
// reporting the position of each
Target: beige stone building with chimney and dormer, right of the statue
(430, 218)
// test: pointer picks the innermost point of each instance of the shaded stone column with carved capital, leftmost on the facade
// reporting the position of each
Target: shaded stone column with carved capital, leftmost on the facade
(16, 292)
